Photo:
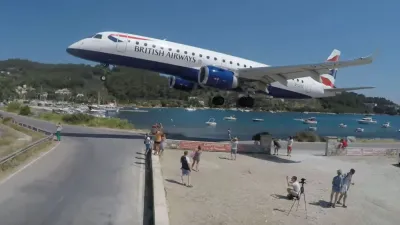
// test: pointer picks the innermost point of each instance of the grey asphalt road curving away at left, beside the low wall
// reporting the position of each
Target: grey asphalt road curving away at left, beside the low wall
(92, 177)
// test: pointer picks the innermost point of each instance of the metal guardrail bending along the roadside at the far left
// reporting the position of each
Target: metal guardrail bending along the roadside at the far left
(26, 148)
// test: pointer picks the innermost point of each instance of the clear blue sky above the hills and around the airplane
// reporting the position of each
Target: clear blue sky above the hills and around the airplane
(271, 32)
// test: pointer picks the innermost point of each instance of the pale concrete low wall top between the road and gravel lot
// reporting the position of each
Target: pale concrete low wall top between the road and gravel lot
(160, 205)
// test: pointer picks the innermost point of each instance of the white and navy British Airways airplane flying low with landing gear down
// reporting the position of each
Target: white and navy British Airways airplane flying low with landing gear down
(195, 68)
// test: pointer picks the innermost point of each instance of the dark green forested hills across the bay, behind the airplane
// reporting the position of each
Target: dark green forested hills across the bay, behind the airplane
(128, 85)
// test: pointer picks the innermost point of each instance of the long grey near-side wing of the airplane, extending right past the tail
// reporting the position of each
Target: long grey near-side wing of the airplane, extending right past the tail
(284, 73)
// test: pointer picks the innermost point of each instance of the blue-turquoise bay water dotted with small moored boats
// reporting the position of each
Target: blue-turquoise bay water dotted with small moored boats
(281, 125)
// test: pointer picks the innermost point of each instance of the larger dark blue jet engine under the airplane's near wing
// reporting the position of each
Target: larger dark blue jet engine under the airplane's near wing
(216, 77)
